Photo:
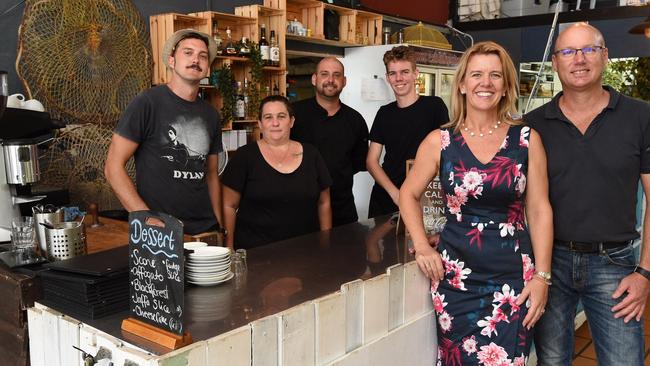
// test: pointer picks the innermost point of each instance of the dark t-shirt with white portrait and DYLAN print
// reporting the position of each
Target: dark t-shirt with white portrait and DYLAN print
(175, 137)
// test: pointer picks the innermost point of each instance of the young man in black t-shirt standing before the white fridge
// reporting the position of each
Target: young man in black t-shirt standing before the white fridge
(399, 127)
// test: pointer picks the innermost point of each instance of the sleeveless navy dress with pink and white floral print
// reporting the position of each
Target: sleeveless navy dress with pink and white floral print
(487, 254)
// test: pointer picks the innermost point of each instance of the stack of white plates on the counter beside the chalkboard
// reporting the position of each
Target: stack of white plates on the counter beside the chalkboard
(207, 266)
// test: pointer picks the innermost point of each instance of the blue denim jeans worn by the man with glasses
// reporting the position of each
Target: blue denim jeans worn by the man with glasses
(590, 278)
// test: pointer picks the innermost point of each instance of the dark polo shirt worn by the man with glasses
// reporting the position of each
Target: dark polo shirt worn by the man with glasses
(593, 178)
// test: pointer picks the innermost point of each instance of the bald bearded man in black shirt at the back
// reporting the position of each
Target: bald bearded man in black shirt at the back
(339, 133)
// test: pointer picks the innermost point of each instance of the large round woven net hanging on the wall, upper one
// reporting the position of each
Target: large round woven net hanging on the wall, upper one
(83, 59)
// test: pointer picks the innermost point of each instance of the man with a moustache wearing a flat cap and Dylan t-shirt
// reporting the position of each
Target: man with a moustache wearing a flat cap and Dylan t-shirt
(175, 138)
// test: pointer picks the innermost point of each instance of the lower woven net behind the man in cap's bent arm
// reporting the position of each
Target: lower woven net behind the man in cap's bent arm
(75, 159)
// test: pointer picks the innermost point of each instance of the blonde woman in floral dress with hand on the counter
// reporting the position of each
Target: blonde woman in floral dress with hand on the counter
(489, 273)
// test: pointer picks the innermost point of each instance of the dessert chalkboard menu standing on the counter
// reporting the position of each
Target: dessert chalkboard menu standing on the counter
(156, 270)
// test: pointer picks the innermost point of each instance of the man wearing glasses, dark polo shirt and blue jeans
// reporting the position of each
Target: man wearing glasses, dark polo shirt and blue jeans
(597, 143)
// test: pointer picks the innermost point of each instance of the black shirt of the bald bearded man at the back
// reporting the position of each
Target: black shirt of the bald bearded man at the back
(342, 141)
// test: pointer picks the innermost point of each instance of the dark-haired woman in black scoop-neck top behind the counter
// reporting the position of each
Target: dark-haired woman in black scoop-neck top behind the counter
(275, 188)
